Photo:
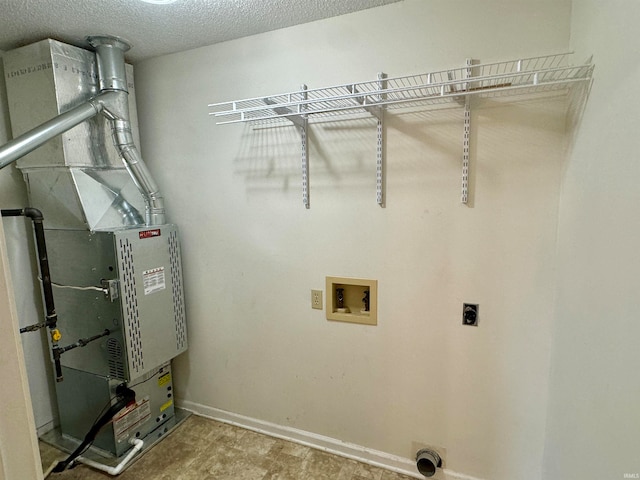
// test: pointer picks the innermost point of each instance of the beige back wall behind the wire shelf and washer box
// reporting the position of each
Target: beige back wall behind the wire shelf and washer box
(252, 252)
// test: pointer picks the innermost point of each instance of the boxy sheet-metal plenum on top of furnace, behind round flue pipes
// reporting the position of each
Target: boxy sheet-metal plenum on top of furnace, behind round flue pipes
(77, 179)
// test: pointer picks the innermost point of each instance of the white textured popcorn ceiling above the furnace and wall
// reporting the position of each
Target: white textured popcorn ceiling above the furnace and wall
(160, 29)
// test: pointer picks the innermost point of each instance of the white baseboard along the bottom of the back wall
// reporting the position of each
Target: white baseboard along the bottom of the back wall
(362, 454)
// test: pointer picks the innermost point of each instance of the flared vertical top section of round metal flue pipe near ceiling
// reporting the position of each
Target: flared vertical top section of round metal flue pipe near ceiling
(110, 58)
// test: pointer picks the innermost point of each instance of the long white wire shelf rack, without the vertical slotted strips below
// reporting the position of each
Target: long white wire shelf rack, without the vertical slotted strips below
(535, 75)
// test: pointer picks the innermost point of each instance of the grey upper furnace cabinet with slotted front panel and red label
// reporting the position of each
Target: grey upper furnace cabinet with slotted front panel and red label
(143, 306)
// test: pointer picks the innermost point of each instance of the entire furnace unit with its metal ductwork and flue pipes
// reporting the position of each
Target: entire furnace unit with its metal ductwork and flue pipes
(115, 265)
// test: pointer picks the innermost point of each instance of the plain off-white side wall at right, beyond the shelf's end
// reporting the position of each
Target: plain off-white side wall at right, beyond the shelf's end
(593, 419)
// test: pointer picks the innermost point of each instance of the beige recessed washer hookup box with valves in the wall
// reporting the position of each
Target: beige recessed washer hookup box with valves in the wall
(353, 300)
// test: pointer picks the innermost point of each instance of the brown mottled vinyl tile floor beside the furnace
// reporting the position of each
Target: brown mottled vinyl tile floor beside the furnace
(204, 449)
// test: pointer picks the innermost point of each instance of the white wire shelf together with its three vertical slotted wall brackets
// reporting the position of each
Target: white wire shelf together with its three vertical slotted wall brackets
(545, 76)
